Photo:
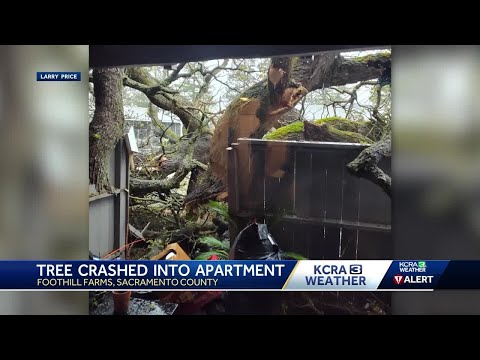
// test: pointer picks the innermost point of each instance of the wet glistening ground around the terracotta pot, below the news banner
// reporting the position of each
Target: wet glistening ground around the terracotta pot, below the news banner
(137, 306)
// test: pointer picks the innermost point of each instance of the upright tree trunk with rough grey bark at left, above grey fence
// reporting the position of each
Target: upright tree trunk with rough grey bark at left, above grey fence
(106, 127)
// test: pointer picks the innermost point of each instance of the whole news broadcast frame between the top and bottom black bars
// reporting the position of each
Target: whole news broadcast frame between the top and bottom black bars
(239, 180)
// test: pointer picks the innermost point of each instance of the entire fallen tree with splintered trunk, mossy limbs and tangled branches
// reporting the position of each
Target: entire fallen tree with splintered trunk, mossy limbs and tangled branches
(199, 156)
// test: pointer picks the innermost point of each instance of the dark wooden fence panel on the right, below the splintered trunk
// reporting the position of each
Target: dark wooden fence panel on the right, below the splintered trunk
(325, 213)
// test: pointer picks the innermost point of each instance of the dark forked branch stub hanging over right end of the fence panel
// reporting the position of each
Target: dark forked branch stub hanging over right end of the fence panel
(366, 164)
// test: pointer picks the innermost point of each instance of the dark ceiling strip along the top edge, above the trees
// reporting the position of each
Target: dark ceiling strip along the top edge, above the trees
(130, 55)
